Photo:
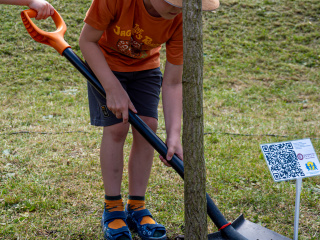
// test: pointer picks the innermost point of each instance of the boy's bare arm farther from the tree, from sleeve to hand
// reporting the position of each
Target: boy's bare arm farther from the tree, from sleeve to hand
(117, 99)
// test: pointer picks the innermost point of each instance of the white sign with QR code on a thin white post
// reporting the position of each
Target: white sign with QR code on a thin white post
(292, 160)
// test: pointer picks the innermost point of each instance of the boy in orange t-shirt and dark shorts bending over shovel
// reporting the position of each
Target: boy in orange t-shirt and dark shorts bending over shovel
(121, 40)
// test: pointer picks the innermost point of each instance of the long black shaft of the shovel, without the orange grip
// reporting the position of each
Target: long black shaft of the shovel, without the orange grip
(176, 163)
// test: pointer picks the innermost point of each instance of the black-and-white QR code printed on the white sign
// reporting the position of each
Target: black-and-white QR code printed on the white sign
(282, 161)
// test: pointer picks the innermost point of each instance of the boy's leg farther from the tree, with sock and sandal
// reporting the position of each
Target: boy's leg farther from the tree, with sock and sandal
(111, 158)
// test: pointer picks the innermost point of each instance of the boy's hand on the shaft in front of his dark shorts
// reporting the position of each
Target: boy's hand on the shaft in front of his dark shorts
(118, 102)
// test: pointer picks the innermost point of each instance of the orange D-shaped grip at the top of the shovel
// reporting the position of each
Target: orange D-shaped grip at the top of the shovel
(54, 39)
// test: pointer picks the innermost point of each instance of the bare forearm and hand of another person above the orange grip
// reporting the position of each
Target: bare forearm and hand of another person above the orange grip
(43, 8)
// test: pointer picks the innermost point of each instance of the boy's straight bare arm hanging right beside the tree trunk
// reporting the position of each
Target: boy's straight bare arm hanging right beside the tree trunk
(172, 108)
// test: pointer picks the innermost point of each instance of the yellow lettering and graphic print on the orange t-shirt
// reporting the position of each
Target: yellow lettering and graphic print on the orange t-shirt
(132, 47)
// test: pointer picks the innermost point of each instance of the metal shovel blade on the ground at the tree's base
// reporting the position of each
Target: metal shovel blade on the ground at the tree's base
(249, 230)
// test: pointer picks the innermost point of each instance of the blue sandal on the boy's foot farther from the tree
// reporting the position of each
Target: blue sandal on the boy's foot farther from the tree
(115, 234)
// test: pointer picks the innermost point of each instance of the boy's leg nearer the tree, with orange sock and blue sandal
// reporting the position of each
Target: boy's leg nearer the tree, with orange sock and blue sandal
(140, 163)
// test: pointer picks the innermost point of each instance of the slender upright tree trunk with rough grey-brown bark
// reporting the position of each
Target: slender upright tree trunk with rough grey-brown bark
(192, 139)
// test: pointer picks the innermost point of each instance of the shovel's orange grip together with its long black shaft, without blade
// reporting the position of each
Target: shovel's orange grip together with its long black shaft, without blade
(55, 40)
